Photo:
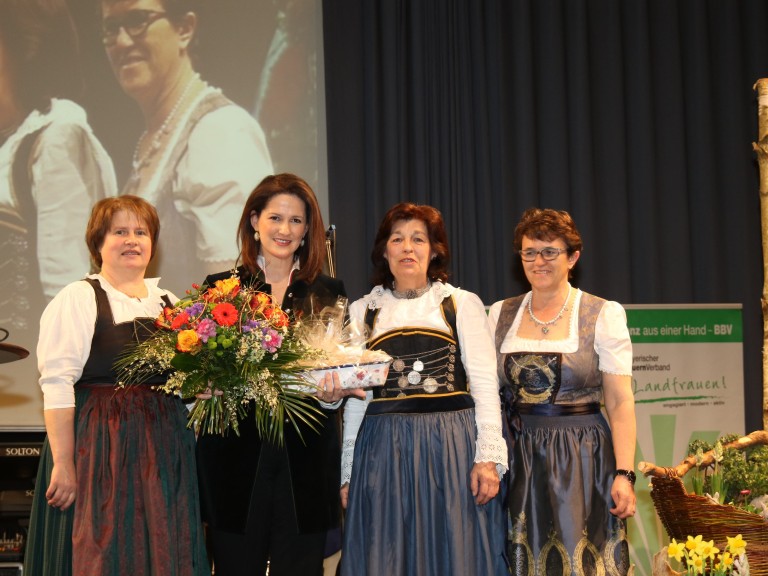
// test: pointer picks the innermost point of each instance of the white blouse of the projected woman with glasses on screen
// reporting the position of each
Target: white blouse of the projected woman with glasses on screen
(224, 158)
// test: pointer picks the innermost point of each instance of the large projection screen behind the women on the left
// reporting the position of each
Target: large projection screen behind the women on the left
(265, 56)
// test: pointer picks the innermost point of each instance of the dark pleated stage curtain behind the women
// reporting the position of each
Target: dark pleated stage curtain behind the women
(635, 116)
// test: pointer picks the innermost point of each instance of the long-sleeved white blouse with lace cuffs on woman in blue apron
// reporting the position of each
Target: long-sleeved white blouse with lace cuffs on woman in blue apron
(477, 354)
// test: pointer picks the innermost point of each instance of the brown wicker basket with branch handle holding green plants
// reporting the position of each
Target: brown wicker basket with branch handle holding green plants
(684, 514)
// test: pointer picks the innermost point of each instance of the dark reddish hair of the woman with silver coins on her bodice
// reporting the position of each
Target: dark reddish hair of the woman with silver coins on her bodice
(438, 241)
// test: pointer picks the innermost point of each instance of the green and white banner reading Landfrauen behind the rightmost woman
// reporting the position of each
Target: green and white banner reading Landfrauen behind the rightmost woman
(688, 382)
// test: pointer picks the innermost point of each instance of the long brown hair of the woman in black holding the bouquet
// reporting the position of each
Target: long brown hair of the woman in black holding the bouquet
(312, 253)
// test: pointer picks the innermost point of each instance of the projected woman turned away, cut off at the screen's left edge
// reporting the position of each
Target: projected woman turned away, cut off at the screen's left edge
(52, 168)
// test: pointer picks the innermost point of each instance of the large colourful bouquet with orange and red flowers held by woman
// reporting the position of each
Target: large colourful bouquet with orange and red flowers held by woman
(236, 347)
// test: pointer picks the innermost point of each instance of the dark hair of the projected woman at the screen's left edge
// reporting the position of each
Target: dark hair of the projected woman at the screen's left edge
(41, 45)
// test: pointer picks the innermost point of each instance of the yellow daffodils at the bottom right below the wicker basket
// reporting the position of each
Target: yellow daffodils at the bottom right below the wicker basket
(700, 557)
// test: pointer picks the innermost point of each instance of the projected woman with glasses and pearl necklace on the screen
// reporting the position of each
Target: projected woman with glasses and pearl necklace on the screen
(200, 155)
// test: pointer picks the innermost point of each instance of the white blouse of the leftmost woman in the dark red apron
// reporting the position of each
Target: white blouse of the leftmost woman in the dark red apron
(66, 332)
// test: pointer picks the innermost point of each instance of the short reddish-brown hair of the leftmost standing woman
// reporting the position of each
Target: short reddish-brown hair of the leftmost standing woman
(104, 212)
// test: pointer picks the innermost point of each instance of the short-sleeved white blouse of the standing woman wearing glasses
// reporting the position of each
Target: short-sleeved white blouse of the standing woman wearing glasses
(612, 341)
